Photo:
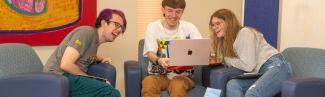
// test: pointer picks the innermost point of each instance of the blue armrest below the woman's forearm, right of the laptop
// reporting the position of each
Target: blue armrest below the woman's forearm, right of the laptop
(218, 76)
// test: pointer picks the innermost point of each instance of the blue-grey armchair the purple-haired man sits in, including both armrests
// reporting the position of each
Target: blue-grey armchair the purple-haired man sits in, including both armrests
(21, 74)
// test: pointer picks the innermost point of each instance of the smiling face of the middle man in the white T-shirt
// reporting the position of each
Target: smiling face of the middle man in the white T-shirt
(172, 15)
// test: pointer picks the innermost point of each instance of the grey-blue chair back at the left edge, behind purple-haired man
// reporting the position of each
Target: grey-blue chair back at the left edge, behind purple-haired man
(18, 58)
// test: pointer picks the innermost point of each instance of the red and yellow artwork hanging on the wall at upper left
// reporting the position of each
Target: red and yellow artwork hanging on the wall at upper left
(43, 22)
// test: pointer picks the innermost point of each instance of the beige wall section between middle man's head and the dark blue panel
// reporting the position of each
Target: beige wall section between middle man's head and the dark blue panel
(199, 11)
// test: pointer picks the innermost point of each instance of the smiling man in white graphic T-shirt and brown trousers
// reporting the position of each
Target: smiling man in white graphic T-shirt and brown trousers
(176, 80)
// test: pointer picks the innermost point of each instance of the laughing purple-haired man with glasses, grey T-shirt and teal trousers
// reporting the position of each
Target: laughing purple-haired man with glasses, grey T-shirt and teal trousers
(78, 50)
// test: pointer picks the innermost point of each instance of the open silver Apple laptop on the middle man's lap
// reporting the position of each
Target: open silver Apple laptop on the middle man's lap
(188, 52)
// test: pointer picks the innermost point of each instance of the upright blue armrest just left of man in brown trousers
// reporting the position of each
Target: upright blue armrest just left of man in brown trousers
(132, 74)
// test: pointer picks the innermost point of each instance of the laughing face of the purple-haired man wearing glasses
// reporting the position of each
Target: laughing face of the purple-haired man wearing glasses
(112, 28)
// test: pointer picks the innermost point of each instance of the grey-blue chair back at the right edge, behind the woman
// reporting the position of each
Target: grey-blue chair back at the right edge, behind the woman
(306, 62)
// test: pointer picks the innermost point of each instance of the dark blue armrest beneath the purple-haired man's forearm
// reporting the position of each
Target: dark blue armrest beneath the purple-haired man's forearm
(103, 70)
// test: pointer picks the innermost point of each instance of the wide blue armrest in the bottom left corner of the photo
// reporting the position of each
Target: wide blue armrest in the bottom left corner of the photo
(34, 85)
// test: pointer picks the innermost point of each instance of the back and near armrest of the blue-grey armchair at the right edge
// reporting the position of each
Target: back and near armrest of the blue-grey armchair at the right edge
(308, 69)
